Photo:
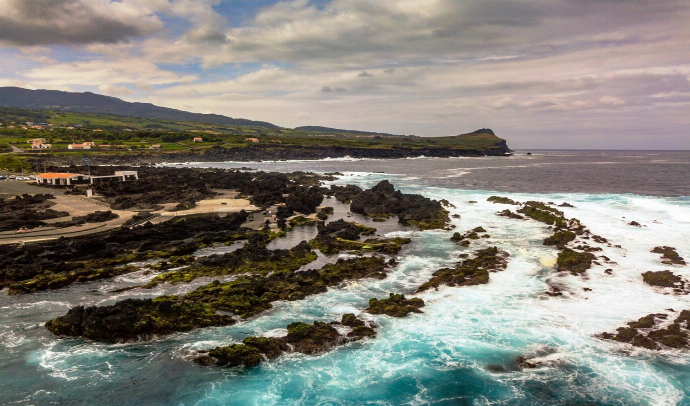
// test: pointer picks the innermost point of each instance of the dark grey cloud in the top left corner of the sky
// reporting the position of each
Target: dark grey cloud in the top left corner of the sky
(47, 22)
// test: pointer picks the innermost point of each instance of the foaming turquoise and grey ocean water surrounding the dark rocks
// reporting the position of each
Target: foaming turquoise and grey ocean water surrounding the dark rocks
(461, 350)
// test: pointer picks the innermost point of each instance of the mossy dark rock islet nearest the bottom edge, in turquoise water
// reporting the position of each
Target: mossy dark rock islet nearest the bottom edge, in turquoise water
(302, 337)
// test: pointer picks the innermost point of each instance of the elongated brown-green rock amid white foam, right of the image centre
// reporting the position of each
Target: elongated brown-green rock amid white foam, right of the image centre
(471, 271)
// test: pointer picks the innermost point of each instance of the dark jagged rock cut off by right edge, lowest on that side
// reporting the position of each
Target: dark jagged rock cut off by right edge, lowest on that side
(654, 332)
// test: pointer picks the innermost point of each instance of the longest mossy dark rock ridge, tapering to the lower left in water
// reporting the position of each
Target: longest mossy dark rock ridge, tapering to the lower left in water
(208, 305)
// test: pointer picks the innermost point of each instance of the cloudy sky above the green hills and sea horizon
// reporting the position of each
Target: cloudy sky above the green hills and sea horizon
(541, 73)
